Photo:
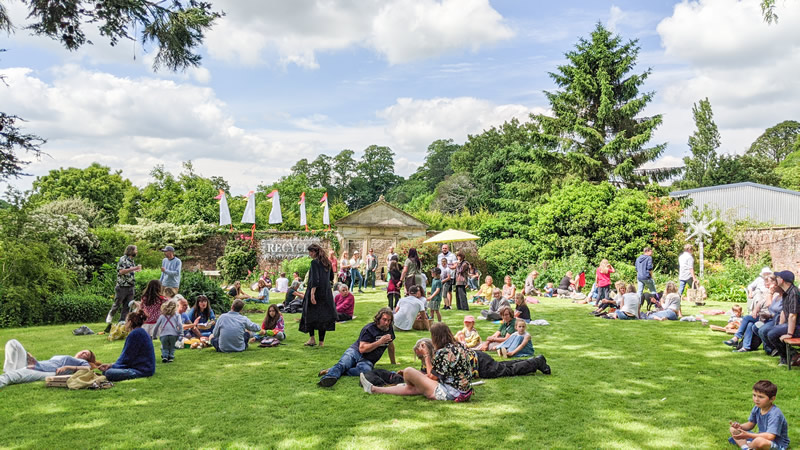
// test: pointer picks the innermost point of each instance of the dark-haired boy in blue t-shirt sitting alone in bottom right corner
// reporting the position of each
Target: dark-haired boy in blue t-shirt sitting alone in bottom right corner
(773, 430)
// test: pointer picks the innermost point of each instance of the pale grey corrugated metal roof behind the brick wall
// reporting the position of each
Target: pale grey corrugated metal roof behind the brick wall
(747, 201)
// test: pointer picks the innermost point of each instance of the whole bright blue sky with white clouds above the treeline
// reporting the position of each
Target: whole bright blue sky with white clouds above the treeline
(285, 80)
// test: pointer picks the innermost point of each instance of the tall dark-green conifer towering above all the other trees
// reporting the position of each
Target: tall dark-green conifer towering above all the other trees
(597, 122)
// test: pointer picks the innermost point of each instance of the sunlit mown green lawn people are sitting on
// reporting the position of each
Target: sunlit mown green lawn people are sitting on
(614, 385)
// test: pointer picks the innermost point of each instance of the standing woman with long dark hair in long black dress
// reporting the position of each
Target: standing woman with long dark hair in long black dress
(319, 311)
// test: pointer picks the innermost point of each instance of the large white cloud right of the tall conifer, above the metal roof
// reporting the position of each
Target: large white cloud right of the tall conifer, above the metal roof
(746, 68)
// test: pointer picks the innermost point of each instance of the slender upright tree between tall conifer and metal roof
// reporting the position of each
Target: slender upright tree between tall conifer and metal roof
(703, 144)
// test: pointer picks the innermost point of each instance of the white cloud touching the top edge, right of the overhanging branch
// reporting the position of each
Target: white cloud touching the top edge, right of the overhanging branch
(401, 30)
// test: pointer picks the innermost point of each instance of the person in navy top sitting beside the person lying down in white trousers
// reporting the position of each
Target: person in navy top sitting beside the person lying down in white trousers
(138, 358)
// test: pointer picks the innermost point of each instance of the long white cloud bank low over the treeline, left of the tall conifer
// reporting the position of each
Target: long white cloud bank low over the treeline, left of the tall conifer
(135, 123)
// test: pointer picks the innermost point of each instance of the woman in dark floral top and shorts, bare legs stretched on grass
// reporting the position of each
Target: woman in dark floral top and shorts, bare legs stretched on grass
(450, 376)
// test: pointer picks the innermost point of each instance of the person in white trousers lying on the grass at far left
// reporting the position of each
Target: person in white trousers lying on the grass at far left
(21, 367)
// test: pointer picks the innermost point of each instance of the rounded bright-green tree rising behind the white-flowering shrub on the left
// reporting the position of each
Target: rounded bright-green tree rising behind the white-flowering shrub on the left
(96, 183)
